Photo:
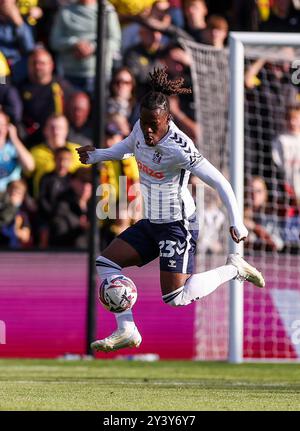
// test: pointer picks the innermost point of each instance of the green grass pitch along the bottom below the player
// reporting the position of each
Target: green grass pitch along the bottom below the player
(165, 385)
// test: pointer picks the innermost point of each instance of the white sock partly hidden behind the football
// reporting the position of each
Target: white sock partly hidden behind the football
(106, 268)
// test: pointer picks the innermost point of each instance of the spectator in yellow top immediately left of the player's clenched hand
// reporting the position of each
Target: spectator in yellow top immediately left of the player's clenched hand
(56, 131)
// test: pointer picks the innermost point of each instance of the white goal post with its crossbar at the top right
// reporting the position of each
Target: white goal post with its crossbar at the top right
(237, 42)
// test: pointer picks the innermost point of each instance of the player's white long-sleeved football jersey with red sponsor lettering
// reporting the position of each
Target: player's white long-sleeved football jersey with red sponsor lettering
(164, 173)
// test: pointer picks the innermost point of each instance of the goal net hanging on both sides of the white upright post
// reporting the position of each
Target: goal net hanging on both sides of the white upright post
(271, 316)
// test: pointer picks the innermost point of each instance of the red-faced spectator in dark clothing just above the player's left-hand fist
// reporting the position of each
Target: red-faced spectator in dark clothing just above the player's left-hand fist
(78, 111)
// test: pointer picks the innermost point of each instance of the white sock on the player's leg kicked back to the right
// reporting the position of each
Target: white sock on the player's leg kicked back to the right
(200, 285)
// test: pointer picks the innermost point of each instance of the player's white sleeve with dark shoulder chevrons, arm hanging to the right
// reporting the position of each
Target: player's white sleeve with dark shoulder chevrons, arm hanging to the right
(192, 160)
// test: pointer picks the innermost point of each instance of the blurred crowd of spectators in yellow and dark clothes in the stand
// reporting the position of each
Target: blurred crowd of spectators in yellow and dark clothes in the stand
(47, 80)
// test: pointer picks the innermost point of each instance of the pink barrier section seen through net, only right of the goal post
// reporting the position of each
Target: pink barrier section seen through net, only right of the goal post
(272, 314)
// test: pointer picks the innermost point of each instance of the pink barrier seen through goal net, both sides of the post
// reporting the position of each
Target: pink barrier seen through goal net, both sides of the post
(271, 315)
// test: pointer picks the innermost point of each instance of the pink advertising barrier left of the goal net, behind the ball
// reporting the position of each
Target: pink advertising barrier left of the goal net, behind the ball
(43, 301)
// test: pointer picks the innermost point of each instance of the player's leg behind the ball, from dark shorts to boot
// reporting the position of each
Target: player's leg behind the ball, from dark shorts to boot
(128, 249)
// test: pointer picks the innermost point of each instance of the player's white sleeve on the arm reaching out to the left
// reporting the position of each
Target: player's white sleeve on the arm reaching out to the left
(116, 152)
